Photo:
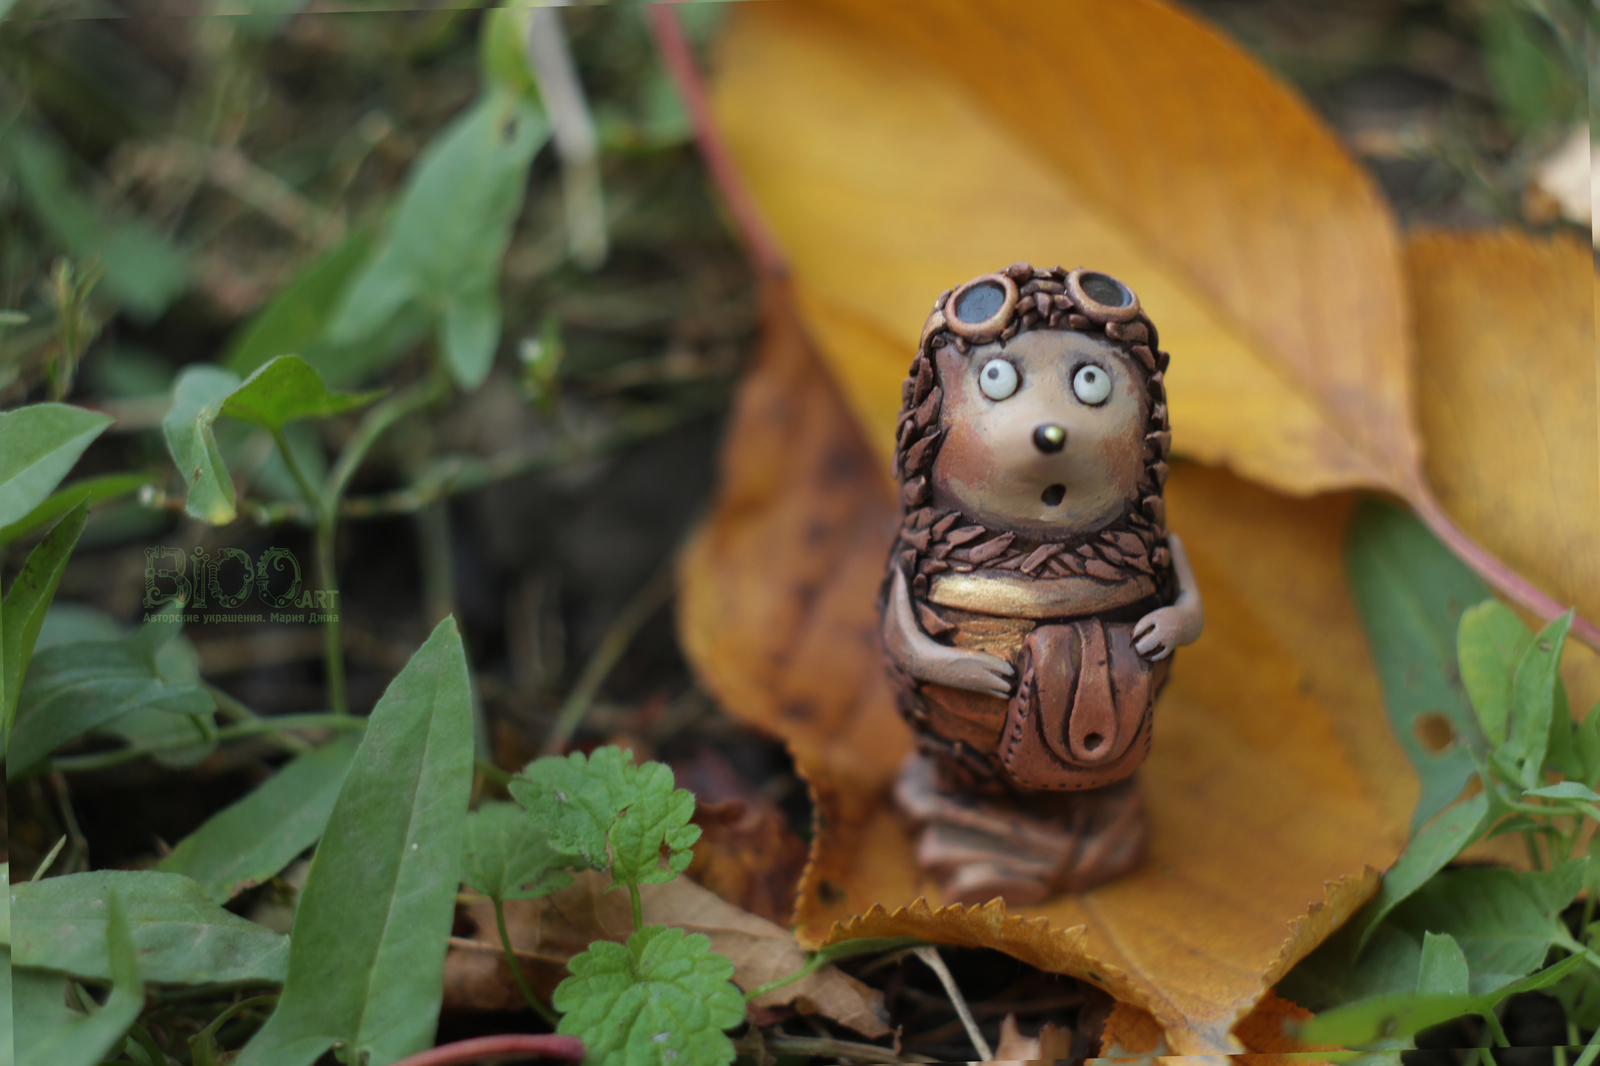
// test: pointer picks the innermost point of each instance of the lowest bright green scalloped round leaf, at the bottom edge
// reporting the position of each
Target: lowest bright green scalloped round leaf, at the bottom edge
(663, 1000)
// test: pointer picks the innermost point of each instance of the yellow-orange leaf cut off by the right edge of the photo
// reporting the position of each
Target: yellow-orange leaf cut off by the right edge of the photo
(1511, 407)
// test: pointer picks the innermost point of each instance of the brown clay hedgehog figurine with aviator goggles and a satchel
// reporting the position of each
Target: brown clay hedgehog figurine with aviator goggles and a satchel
(1034, 596)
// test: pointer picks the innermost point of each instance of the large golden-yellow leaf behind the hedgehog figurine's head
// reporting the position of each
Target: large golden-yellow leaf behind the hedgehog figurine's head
(905, 148)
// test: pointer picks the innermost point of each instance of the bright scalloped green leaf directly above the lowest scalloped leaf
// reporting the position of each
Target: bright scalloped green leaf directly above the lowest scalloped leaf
(610, 814)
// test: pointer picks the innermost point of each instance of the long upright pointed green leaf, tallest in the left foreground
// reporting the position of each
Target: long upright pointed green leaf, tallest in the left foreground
(370, 932)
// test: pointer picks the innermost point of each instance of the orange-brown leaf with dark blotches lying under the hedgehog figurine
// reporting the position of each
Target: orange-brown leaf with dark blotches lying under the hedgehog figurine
(1274, 787)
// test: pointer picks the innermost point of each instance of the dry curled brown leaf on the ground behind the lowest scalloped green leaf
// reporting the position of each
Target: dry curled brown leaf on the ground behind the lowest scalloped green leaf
(551, 931)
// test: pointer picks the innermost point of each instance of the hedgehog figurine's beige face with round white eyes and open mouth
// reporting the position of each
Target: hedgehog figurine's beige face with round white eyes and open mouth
(1044, 436)
